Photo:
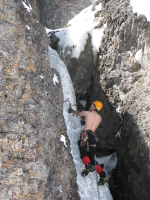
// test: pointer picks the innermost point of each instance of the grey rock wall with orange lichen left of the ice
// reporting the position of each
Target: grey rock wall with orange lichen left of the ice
(34, 163)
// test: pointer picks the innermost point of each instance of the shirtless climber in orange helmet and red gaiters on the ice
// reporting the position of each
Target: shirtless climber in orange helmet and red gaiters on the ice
(87, 142)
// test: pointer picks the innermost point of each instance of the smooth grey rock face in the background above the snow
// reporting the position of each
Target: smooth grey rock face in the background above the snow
(55, 14)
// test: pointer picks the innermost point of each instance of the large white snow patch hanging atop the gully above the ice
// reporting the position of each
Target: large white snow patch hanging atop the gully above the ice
(76, 34)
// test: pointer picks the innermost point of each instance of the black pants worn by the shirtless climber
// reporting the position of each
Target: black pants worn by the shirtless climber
(92, 150)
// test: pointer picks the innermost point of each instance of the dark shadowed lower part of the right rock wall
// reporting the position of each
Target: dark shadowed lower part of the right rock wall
(132, 168)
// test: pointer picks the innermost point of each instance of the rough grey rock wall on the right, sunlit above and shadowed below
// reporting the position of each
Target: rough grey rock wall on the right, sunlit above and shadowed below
(125, 81)
